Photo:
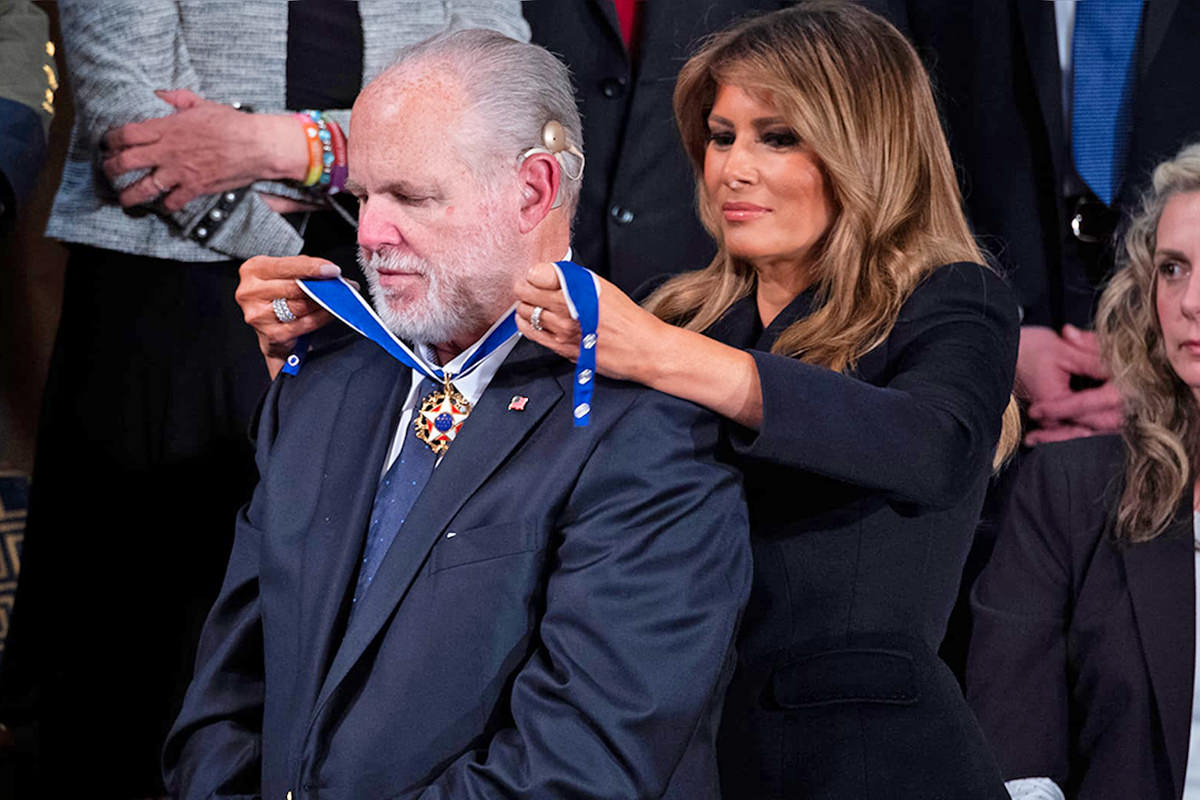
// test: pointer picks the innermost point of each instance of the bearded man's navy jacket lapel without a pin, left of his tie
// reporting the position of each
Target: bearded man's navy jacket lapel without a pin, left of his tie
(367, 422)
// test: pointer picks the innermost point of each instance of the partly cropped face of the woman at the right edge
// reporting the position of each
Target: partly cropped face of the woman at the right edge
(1178, 286)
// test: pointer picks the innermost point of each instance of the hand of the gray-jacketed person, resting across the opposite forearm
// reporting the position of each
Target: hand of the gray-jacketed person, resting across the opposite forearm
(203, 148)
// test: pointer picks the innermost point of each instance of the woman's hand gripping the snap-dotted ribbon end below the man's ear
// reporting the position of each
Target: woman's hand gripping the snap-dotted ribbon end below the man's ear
(627, 338)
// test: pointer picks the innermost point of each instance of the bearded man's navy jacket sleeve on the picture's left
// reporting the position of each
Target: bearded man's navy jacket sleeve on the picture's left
(214, 749)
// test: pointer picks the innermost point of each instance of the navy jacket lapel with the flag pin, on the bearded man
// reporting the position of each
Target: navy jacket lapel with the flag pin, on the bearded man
(487, 440)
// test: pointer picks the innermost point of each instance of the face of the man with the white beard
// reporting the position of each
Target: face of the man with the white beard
(440, 246)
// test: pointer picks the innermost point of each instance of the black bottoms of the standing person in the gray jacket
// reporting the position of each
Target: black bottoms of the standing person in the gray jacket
(143, 460)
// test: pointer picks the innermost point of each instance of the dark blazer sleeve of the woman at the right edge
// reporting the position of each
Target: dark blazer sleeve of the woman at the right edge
(1017, 665)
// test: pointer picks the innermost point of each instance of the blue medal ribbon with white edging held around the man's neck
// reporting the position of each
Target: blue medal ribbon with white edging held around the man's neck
(580, 288)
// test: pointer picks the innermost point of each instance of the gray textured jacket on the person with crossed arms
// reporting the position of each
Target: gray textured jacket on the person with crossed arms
(227, 51)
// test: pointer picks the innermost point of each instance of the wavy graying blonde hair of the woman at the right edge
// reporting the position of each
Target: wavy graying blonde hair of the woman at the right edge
(1162, 426)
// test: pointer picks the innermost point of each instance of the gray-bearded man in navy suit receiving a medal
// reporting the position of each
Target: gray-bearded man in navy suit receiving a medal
(553, 613)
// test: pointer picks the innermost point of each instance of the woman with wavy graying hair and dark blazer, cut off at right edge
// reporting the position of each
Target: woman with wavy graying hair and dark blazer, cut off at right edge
(1082, 659)
